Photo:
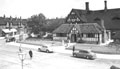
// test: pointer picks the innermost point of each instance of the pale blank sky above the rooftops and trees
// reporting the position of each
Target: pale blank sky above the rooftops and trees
(50, 8)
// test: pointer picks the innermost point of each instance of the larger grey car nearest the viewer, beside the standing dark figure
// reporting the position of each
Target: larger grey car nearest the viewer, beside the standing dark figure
(88, 54)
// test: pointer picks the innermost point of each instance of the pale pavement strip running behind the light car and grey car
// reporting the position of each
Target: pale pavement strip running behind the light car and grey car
(61, 49)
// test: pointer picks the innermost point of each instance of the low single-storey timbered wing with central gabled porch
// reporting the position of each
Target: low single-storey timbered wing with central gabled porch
(87, 32)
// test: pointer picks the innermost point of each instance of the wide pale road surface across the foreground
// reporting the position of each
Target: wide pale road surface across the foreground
(9, 59)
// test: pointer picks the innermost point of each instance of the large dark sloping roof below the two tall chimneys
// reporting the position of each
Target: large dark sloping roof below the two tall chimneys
(111, 17)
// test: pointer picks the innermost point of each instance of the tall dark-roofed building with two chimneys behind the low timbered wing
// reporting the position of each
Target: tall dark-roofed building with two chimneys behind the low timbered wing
(111, 17)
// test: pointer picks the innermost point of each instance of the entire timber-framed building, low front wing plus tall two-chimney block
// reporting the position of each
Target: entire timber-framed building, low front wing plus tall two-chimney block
(88, 25)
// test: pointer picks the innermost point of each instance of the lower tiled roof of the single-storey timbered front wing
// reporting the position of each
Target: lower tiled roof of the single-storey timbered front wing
(82, 28)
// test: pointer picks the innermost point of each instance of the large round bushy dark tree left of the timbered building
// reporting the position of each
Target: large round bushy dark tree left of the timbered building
(36, 23)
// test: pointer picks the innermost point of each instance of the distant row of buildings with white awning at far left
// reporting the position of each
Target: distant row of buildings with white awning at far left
(12, 26)
